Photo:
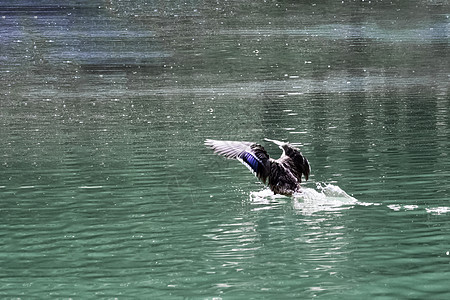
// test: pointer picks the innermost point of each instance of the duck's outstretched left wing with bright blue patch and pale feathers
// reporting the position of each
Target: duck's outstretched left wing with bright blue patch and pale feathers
(252, 155)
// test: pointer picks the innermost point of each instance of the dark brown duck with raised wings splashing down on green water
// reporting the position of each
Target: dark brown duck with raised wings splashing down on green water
(283, 175)
